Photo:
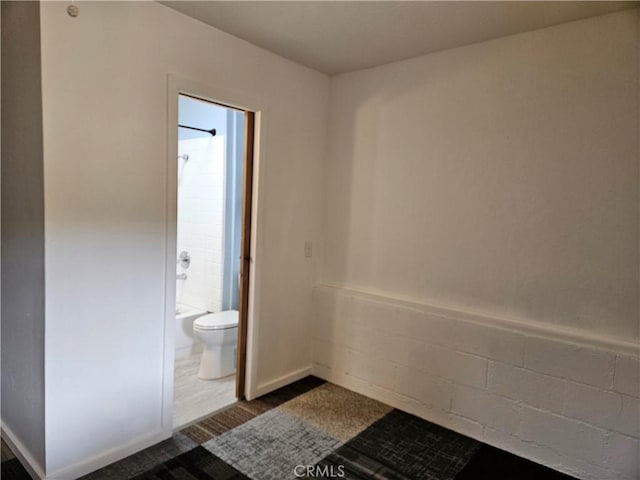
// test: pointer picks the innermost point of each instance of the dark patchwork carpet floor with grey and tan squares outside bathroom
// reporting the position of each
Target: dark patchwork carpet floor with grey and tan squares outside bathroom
(313, 429)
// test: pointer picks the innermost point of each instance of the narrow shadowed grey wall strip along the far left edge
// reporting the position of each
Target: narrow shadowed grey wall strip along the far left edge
(23, 404)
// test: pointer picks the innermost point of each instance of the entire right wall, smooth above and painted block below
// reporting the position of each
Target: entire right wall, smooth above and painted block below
(482, 251)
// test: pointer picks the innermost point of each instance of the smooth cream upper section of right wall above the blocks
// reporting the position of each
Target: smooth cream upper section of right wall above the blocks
(499, 178)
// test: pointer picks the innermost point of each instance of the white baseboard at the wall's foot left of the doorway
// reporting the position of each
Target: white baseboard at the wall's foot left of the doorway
(96, 462)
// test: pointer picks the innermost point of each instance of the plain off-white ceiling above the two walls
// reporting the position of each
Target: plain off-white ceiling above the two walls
(340, 36)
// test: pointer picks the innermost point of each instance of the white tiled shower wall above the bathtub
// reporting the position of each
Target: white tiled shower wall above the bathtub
(200, 221)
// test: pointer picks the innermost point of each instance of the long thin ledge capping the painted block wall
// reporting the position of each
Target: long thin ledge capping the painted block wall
(519, 326)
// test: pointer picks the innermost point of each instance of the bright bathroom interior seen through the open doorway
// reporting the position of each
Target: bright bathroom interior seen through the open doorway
(209, 214)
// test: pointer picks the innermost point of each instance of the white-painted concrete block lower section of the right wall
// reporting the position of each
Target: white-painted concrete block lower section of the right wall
(560, 398)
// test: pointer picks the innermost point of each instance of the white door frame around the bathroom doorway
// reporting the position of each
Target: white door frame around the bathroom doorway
(246, 385)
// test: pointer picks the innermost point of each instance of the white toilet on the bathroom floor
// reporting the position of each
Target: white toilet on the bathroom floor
(218, 332)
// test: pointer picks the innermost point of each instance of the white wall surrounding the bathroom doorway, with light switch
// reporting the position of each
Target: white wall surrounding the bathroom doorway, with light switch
(105, 123)
